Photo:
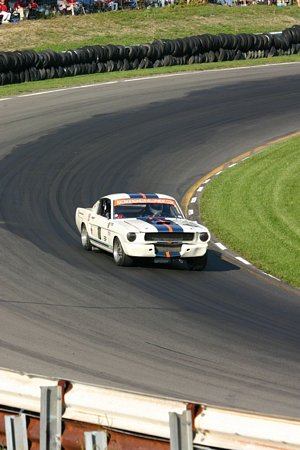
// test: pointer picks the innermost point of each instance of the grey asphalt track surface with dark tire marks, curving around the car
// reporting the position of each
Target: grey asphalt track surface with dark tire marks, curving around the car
(224, 336)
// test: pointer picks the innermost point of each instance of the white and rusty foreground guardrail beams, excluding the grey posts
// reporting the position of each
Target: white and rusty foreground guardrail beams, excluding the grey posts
(134, 420)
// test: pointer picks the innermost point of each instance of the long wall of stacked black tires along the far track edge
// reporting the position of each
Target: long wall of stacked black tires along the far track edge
(28, 65)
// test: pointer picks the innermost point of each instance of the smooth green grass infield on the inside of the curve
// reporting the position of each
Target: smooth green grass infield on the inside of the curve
(254, 208)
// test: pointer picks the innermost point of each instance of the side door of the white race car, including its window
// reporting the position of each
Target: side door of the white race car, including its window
(99, 222)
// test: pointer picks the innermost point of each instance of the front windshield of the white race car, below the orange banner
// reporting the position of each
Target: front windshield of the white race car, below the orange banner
(136, 210)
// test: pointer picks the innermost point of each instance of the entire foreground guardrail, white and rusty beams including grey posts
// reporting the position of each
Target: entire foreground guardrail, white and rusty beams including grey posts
(53, 414)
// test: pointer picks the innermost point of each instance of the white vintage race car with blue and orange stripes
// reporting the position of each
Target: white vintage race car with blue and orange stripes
(143, 225)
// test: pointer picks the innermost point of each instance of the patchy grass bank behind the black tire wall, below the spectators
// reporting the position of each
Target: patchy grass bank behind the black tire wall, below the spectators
(141, 26)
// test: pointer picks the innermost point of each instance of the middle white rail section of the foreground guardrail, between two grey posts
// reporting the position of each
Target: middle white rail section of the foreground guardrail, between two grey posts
(122, 410)
